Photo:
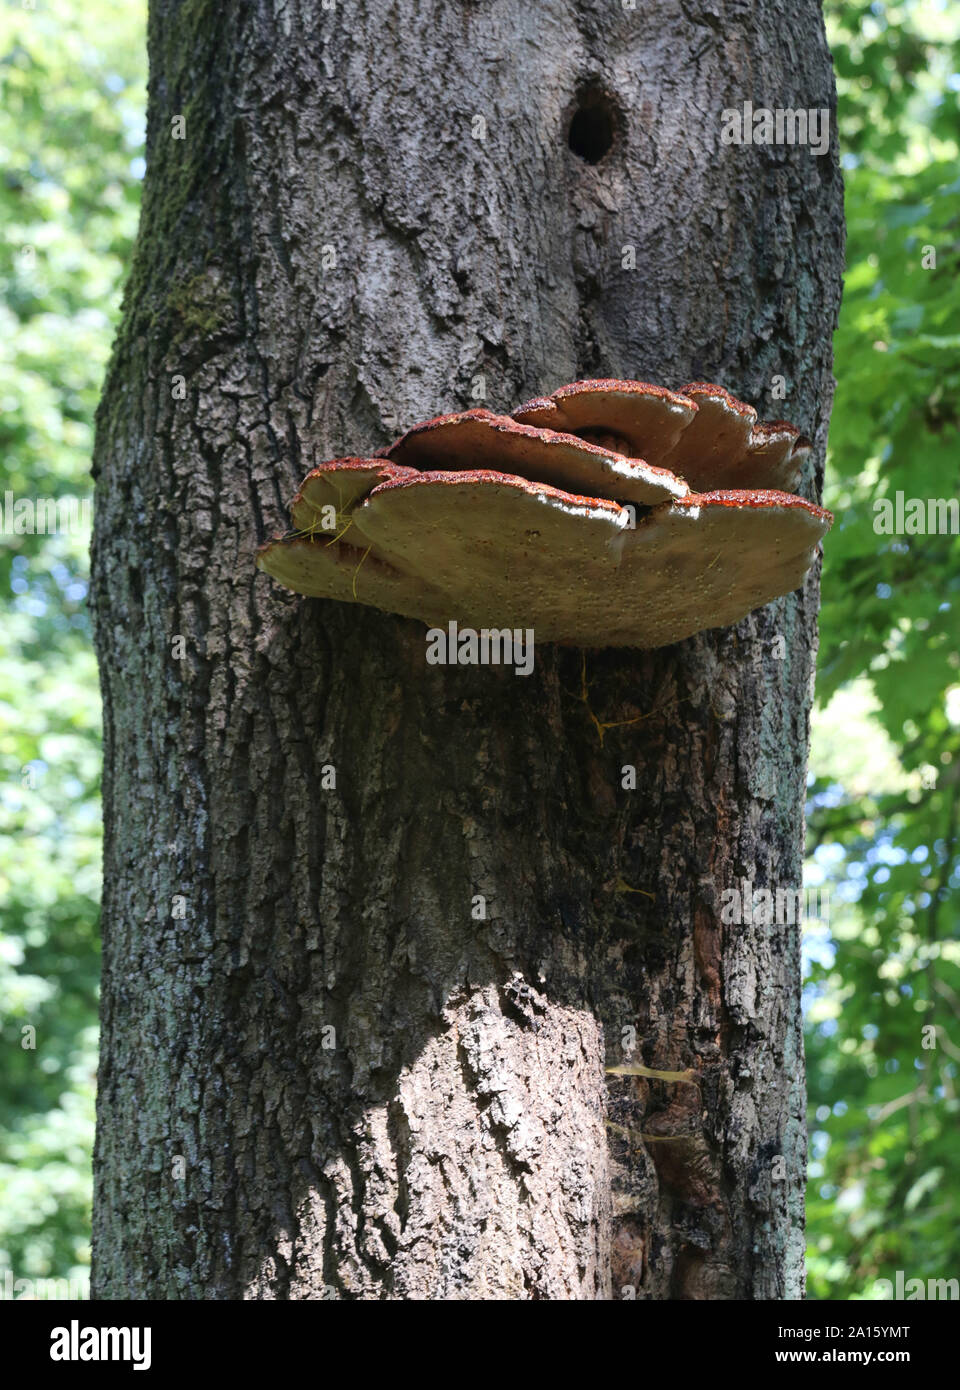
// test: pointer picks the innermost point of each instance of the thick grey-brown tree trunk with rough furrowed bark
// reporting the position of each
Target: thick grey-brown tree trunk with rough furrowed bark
(322, 1075)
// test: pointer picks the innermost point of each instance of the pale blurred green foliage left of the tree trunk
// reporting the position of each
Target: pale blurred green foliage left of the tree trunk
(72, 133)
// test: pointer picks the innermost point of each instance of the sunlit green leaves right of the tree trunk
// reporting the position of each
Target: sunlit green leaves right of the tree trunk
(886, 982)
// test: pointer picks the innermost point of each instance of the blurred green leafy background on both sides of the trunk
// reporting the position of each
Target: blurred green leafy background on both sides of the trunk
(886, 767)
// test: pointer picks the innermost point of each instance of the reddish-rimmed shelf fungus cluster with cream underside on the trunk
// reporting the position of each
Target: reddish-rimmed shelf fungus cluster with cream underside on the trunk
(612, 514)
